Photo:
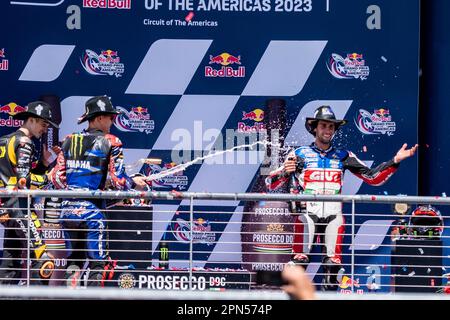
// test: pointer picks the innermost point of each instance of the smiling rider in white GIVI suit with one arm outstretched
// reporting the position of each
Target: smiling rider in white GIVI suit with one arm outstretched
(319, 169)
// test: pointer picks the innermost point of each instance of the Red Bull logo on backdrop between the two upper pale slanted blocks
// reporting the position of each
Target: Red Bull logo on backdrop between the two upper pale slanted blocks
(226, 71)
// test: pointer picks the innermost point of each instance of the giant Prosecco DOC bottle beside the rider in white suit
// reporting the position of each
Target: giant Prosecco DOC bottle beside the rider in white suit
(267, 226)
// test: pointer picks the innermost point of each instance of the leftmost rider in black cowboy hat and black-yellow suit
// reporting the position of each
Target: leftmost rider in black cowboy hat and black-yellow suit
(16, 161)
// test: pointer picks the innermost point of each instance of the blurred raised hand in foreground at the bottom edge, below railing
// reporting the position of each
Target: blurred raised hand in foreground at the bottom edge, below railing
(299, 285)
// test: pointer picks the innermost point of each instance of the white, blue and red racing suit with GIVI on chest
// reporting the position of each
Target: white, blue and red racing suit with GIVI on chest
(322, 172)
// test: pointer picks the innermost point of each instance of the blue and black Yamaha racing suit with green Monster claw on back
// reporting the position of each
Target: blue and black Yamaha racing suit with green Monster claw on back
(87, 159)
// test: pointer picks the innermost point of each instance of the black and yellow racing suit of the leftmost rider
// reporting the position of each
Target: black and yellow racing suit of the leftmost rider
(18, 169)
